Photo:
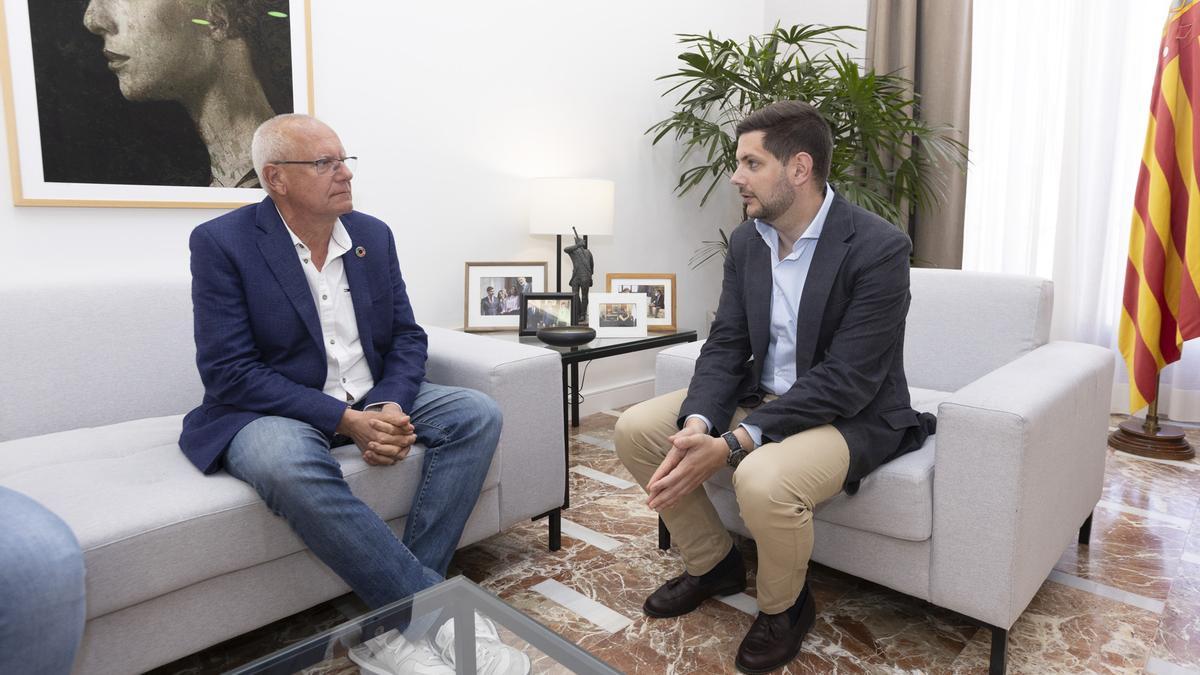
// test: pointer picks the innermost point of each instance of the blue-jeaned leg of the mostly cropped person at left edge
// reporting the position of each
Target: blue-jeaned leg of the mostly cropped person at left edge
(41, 589)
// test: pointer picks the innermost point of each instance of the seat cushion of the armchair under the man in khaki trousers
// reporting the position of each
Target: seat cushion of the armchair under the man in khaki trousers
(896, 500)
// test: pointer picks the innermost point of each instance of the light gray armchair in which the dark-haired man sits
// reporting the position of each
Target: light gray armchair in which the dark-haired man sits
(976, 519)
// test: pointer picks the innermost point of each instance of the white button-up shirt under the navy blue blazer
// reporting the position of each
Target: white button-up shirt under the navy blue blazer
(347, 377)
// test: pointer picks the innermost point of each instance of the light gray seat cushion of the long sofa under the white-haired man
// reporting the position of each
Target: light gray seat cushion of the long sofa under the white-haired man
(135, 503)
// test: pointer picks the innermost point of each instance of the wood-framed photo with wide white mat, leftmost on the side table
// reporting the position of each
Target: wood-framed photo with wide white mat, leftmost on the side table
(494, 295)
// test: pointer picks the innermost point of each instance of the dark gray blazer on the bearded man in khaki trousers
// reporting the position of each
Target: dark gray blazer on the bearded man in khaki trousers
(849, 344)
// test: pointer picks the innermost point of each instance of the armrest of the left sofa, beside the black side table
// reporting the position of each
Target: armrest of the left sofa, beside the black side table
(526, 381)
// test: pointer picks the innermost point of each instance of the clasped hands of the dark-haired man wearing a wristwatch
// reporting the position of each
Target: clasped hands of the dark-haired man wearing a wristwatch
(694, 457)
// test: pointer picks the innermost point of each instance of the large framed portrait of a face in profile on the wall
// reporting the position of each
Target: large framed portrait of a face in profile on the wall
(110, 104)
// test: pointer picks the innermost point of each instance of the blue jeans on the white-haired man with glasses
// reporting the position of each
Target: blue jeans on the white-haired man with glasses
(289, 463)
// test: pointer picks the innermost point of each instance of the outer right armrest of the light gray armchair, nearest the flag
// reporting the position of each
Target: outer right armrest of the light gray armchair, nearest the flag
(1021, 465)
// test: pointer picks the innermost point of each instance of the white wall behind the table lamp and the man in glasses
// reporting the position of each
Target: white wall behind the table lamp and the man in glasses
(452, 106)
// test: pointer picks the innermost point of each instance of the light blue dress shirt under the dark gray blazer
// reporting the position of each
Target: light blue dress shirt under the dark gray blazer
(788, 285)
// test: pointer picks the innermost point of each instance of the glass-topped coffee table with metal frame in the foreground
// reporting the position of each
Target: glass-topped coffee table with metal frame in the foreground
(458, 600)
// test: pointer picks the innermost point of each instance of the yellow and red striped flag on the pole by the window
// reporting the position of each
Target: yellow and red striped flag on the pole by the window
(1162, 306)
